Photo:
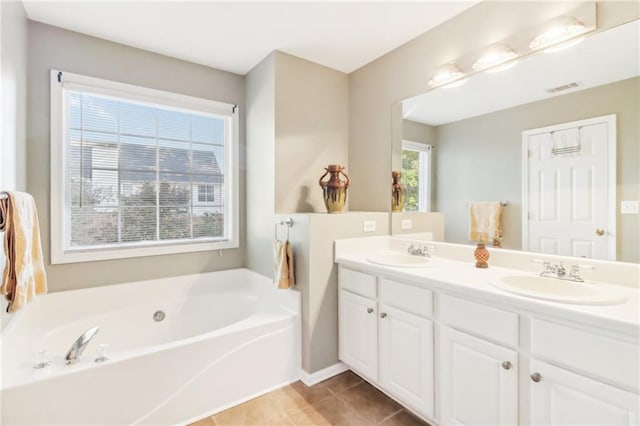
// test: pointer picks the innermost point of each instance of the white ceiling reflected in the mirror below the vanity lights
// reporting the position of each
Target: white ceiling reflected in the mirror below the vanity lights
(602, 58)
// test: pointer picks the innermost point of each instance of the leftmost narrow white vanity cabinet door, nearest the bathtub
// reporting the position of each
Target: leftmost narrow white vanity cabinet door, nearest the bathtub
(358, 333)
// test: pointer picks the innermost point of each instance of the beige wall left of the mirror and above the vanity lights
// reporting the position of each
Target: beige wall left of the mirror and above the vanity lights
(403, 73)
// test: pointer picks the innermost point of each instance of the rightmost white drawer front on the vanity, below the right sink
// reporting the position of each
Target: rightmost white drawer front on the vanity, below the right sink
(591, 353)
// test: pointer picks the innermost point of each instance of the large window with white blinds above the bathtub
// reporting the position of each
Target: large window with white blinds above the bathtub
(139, 174)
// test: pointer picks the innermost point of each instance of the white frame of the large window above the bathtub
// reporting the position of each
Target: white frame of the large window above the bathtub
(61, 81)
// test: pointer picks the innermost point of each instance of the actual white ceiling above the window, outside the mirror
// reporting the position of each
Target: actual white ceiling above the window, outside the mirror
(236, 35)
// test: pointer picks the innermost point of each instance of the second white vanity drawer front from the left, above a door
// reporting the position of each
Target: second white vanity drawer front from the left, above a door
(416, 300)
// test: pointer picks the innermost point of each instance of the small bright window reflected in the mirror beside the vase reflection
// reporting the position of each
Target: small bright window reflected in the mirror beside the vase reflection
(416, 175)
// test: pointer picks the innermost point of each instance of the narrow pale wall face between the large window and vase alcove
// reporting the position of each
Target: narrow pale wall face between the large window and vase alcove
(260, 165)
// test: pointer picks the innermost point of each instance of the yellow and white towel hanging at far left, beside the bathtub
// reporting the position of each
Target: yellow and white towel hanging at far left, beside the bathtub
(24, 274)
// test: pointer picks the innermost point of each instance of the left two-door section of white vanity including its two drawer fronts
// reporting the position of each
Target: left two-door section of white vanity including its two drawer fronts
(386, 336)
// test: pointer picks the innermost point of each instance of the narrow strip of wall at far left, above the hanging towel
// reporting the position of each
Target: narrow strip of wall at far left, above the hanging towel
(13, 95)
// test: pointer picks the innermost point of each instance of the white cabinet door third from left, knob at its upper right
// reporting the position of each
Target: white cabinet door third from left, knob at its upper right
(479, 381)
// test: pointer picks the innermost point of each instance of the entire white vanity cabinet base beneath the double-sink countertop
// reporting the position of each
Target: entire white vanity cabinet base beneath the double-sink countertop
(493, 366)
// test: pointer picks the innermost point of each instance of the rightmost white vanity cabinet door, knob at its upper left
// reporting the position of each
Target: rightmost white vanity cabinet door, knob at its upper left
(560, 397)
